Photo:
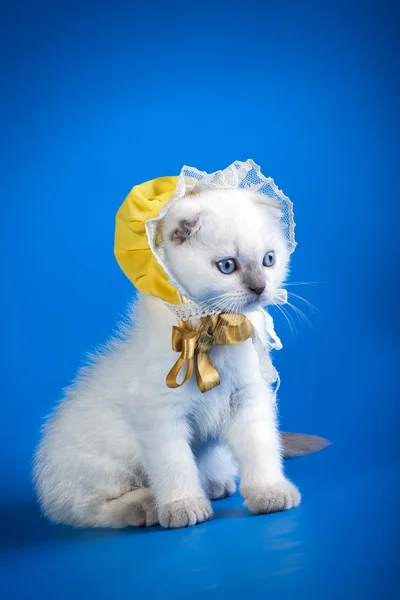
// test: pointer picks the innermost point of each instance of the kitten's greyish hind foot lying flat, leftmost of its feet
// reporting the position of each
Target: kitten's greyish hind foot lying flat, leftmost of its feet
(136, 508)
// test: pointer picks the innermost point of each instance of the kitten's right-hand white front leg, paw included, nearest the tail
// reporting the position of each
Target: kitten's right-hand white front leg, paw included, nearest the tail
(254, 439)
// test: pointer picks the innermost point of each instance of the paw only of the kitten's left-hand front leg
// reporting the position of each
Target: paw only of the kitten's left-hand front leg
(186, 512)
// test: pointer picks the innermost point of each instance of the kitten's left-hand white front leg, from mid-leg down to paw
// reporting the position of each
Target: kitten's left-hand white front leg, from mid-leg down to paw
(173, 474)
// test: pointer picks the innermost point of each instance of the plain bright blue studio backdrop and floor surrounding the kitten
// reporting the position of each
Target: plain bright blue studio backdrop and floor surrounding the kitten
(97, 97)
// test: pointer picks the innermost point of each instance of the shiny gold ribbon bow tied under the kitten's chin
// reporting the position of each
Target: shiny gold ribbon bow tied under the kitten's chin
(193, 344)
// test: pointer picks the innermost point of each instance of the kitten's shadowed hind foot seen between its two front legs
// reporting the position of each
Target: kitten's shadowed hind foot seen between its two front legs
(218, 471)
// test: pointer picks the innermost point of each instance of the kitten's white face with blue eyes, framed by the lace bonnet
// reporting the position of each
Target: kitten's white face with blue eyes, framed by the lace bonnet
(226, 249)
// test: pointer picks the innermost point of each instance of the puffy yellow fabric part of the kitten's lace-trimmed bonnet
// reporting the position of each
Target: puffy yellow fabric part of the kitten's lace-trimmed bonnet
(131, 246)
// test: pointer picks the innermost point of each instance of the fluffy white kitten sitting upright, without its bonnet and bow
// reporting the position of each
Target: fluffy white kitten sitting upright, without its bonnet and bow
(124, 449)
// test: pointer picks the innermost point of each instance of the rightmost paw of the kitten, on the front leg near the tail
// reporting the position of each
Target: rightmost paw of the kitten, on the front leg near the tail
(275, 497)
